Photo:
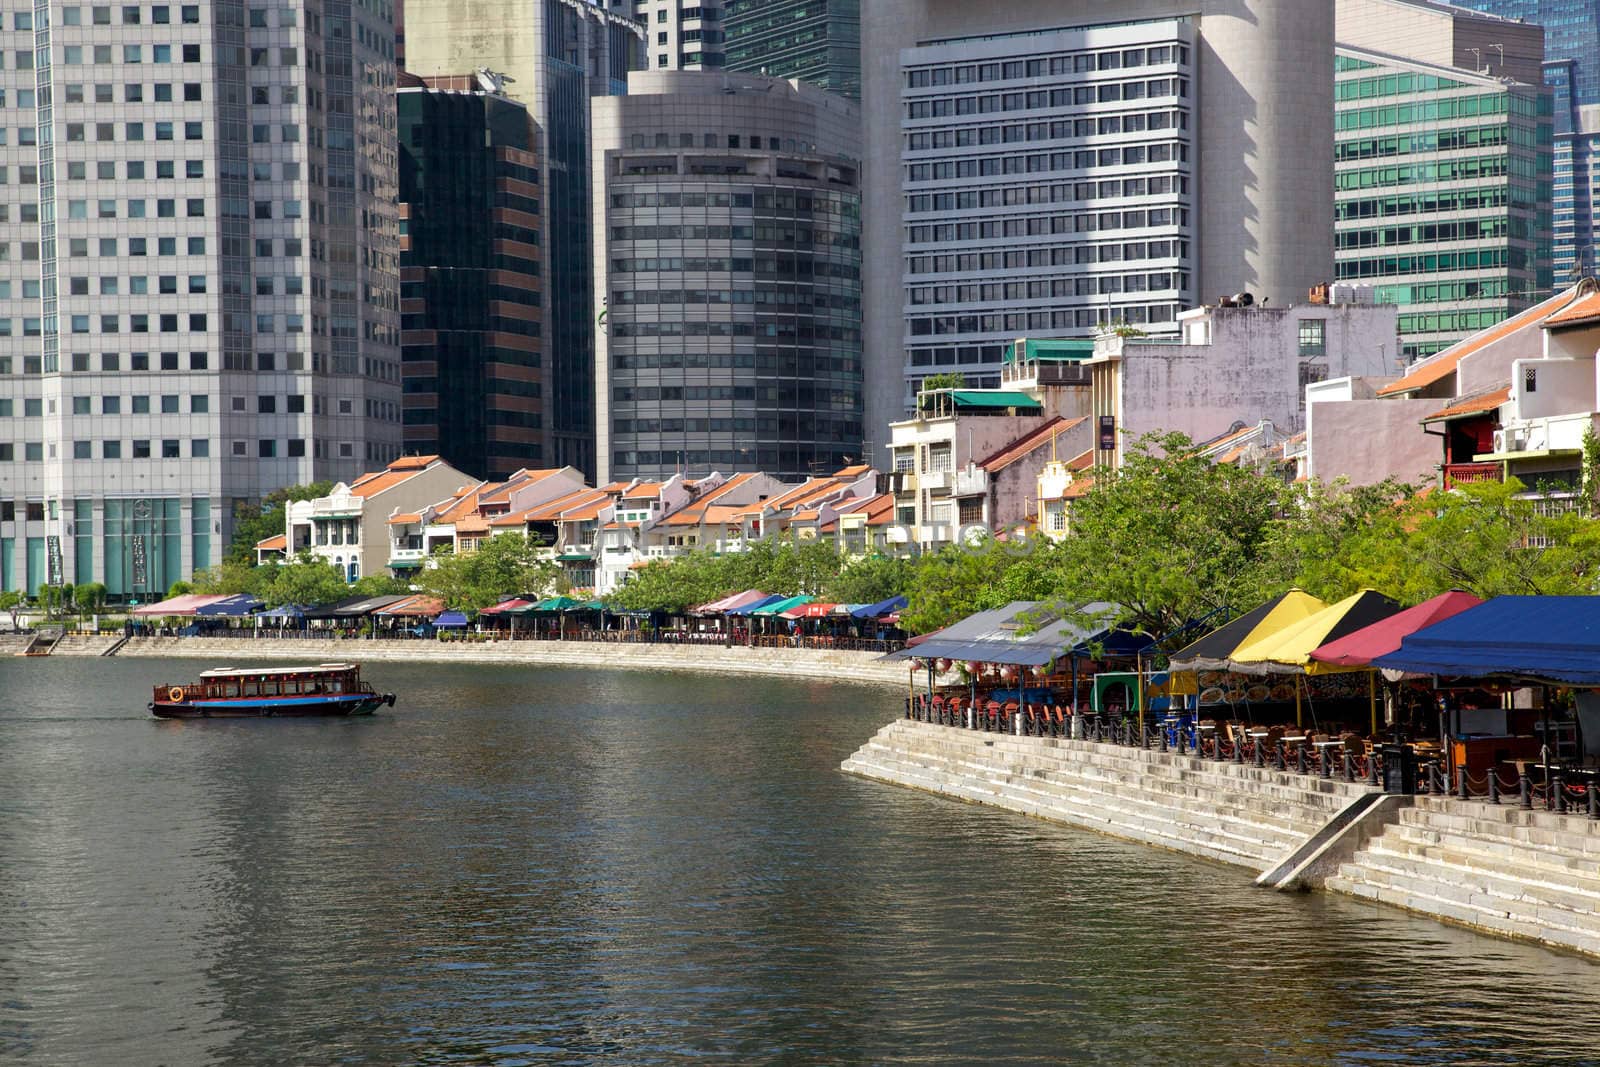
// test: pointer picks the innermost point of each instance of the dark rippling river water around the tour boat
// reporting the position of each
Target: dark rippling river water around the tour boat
(534, 866)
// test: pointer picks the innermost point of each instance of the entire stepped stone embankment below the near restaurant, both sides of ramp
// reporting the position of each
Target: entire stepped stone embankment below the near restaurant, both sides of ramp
(1532, 876)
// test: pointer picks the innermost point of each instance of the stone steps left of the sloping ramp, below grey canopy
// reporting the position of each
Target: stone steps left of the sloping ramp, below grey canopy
(1226, 812)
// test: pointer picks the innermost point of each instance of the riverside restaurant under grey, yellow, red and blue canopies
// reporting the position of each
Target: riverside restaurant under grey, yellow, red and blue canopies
(1490, 700)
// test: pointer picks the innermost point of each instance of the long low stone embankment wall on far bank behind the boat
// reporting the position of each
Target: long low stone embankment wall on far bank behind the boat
(799, 663)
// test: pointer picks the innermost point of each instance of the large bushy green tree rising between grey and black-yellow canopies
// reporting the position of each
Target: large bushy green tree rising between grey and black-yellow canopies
(1172, 537)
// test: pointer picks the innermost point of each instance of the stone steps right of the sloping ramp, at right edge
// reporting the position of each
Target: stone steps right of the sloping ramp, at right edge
(1521, 874)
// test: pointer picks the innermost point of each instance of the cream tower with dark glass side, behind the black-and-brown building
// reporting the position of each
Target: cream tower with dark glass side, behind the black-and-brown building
(554, 57)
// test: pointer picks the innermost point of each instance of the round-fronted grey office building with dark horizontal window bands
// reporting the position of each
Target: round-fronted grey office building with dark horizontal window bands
(729, 262)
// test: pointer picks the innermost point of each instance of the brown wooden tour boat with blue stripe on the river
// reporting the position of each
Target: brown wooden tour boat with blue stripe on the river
(268, 692)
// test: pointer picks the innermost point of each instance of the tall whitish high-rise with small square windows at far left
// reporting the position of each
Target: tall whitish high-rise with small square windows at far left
(202, 265)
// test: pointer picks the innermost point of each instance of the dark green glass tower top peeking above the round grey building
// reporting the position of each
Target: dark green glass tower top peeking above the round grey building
(814, 41)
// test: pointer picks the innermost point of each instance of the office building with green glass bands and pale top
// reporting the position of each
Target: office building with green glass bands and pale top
(1442, 169)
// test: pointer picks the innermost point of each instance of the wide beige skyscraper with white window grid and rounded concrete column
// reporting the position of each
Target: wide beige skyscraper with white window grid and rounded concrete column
(1055, 169)
